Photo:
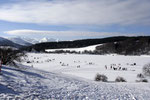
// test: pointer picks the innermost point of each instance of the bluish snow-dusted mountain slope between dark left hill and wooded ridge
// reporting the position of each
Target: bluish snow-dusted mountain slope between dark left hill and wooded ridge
(20, 41)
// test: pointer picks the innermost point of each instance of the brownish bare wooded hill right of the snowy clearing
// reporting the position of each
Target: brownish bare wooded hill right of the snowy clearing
(130, 46)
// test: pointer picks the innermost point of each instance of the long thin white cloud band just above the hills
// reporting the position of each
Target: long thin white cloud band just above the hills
(68, 33)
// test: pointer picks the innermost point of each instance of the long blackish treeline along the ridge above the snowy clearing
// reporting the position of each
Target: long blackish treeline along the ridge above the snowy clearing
(73, 44)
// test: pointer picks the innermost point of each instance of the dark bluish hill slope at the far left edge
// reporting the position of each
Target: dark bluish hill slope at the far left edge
(6, 42)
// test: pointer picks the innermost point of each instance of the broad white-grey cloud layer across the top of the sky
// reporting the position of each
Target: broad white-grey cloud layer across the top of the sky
(75, 12)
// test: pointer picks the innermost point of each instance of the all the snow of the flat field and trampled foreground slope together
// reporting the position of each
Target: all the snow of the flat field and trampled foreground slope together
(49, 80)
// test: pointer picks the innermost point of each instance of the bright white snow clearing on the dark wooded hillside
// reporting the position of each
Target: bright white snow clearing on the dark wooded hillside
(88, 48)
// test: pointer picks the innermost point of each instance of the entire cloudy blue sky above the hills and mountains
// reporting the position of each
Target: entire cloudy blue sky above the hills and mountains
(74, 19)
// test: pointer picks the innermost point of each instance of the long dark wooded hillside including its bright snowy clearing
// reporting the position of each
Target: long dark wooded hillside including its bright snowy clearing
(119, 45)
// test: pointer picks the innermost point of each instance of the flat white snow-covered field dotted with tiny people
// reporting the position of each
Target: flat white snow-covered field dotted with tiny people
(87, 66)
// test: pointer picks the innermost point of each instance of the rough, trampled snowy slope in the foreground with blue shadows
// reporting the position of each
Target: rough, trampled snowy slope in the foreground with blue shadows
(32, 84)
